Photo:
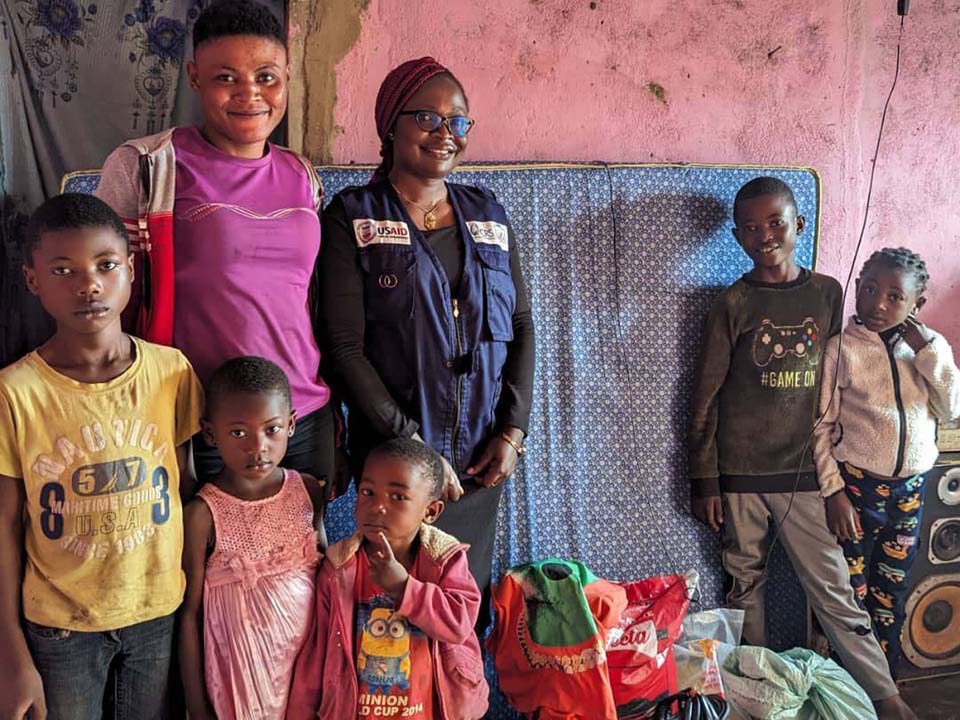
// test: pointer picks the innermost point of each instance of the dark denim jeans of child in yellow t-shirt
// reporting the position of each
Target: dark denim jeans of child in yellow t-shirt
(119, 674)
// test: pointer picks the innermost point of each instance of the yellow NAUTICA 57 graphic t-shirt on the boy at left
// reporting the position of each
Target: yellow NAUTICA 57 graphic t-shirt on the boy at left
(104, 521)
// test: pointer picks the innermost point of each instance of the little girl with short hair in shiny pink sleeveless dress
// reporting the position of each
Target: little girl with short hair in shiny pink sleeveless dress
(250, 552)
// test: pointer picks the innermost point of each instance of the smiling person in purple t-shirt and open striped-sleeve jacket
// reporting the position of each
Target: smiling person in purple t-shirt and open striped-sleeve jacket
(229, 224)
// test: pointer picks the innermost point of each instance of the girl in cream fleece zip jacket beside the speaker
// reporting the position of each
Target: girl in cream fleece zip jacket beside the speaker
(881, 400)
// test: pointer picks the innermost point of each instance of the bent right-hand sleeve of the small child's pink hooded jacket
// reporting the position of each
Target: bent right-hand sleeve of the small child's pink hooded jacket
(445, 610)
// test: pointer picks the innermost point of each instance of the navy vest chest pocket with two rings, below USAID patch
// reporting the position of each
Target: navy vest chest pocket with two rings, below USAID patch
(388, 284)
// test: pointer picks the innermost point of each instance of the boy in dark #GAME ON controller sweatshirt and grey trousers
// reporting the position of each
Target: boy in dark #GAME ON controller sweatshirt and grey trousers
(754, 405)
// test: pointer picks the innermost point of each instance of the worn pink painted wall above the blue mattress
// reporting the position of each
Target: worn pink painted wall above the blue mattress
(797, 82)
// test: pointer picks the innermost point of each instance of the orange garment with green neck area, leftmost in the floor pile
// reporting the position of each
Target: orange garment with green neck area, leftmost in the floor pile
(552, 620)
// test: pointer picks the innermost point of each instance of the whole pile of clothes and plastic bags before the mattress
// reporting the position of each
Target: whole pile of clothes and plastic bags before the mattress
(569, 645)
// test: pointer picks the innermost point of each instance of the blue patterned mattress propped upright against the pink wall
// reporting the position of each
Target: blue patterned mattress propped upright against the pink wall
(622, 263)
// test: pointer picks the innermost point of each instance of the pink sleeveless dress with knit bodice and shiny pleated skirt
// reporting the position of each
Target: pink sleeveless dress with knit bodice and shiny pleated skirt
(257, 597)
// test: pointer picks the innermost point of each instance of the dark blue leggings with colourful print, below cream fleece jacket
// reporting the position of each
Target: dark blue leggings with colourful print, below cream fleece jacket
(879, 564)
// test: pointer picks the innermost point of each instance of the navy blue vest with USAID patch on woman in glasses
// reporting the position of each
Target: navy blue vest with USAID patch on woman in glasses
(439, 356)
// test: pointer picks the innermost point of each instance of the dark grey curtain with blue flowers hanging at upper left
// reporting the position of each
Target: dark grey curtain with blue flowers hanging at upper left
(80, 77)
